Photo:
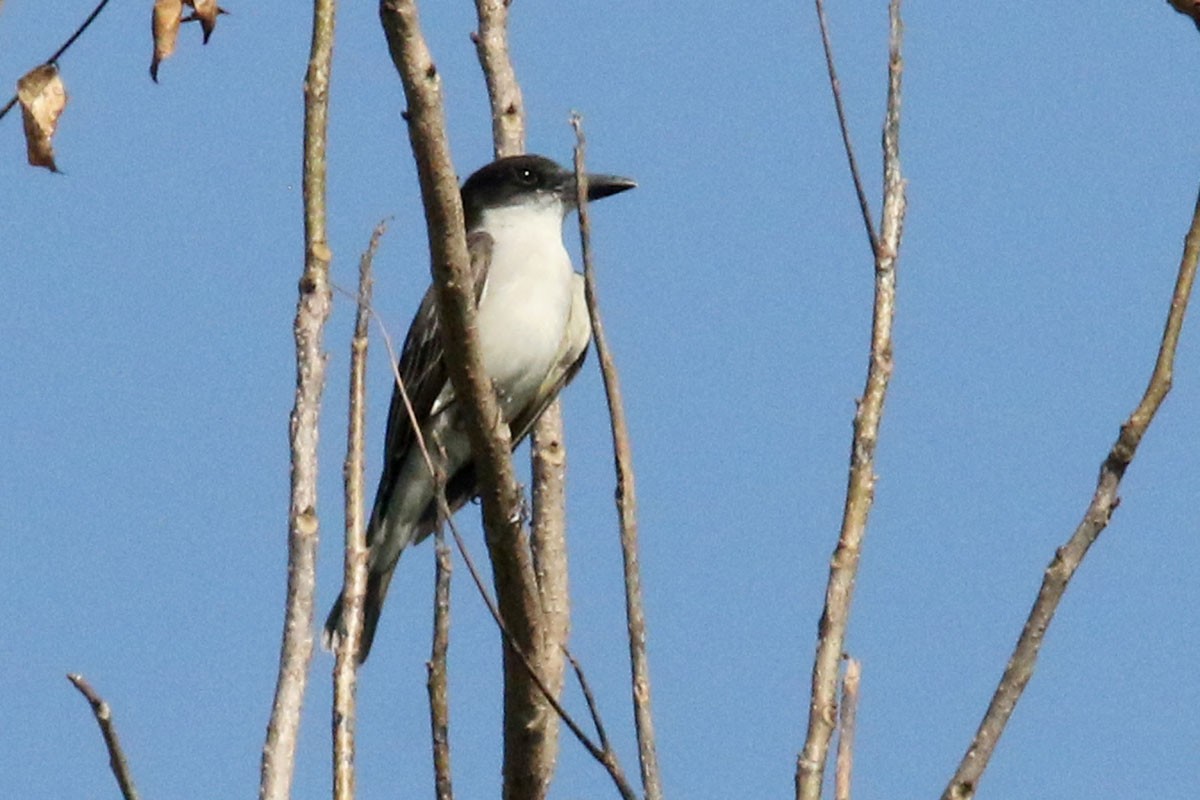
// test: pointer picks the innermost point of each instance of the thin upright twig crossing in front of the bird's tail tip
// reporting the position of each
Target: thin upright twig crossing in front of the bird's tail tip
(356, 558)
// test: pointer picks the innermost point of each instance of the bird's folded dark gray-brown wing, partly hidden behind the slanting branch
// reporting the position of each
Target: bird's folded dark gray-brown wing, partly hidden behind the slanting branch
(424, 375)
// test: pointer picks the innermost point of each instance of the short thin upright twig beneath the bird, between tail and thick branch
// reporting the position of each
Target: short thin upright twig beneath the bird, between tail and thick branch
(437, 683)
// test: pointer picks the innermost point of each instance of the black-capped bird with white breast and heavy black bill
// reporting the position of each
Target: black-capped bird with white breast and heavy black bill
(533, 336)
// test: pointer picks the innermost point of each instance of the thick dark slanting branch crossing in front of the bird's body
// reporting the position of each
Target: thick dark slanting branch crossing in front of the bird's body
(490, 438)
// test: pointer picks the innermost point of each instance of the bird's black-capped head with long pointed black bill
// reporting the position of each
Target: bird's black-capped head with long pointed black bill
(536, 181)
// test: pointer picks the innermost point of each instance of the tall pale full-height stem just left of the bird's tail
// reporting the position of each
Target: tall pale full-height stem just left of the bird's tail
(313, 312)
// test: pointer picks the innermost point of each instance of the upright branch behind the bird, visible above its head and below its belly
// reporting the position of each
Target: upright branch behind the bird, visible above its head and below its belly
(531, 759)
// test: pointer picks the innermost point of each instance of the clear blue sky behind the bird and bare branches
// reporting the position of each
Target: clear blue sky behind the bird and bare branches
(148, 371)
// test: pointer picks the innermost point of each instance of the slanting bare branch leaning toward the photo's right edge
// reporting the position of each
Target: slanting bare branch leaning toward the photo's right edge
(1096, 519)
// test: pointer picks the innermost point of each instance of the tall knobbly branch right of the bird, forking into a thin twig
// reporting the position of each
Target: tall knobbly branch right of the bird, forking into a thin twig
(861, 484)
